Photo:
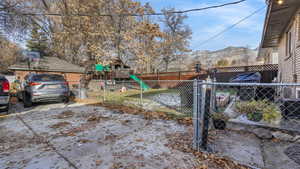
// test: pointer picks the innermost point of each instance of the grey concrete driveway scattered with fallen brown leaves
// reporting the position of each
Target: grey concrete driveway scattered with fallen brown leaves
(81, 136)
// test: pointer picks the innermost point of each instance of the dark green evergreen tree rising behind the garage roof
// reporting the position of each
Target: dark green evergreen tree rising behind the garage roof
(37, 41)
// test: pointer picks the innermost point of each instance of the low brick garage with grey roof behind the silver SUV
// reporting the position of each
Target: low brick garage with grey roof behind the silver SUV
(52, 65)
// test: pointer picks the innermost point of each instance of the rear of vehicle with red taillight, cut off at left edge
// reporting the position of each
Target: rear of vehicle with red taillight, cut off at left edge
(4, 93)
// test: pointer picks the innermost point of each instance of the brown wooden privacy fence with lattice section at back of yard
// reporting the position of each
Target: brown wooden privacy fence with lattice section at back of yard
(223, 74)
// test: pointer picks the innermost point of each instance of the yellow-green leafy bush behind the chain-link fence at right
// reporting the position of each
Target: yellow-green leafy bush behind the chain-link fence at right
(259, 110)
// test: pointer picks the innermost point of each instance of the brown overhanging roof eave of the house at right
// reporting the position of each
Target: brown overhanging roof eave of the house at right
(277, 19)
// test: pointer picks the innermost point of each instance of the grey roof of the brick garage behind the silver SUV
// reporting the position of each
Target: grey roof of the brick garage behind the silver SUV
(48, 64)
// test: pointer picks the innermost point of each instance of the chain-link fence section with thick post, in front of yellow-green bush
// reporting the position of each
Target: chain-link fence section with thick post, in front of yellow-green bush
(244, 107)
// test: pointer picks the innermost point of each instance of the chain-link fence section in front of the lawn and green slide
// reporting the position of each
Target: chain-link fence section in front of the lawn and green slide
(175, 97)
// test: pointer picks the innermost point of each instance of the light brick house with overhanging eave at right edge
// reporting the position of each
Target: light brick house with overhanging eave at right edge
(282, 36)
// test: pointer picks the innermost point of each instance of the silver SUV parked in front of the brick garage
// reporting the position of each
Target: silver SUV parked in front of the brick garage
(43, 88)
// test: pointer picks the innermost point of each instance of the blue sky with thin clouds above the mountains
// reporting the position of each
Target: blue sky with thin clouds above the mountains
(205, 24)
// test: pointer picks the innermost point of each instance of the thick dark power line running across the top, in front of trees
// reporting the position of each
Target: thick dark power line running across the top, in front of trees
(129, 14)
